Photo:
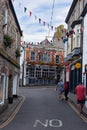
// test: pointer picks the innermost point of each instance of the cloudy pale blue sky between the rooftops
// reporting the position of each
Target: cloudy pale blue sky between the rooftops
(41, 17)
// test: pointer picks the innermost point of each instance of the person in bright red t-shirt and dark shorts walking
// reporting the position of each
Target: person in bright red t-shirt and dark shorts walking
(80, 91)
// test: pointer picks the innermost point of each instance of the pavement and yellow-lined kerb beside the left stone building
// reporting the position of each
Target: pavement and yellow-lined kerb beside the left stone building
(10, 111)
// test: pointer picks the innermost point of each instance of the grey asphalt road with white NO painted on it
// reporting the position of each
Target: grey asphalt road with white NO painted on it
(42, 110)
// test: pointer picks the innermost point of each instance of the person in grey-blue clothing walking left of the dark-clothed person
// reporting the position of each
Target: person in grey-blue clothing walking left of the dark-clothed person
(60, 89)
